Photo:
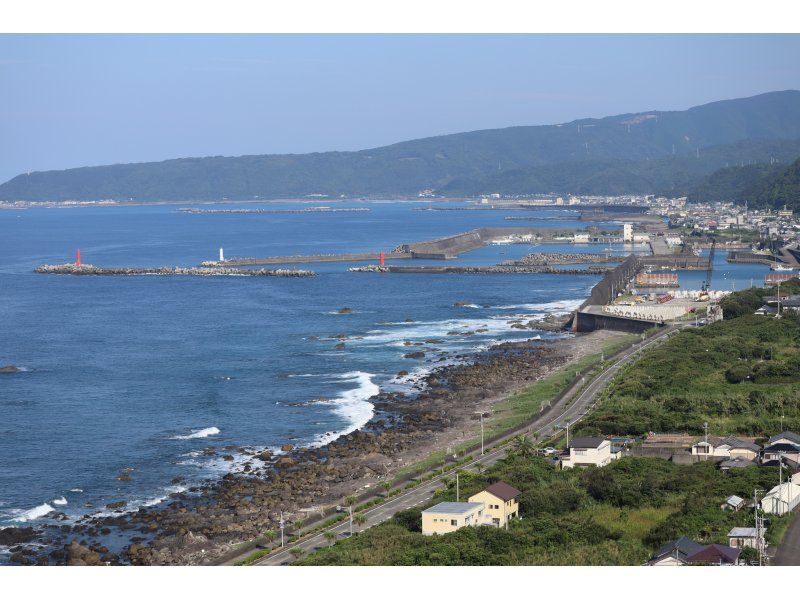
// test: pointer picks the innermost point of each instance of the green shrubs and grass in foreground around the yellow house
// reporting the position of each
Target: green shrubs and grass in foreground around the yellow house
(617, 515)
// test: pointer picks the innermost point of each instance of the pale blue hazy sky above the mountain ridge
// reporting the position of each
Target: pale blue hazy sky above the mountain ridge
(70, 101)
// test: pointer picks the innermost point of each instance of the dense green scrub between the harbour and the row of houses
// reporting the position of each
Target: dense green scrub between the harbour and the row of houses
(740, 375)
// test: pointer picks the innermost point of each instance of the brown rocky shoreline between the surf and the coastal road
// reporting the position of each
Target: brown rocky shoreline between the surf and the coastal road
(202, 524)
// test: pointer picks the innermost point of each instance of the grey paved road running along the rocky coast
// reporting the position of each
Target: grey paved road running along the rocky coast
(570, 408)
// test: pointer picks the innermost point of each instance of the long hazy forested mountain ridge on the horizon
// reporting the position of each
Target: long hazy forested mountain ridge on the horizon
(627, 153)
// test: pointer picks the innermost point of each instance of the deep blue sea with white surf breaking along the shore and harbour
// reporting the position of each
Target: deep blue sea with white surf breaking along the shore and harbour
(141, 374)
